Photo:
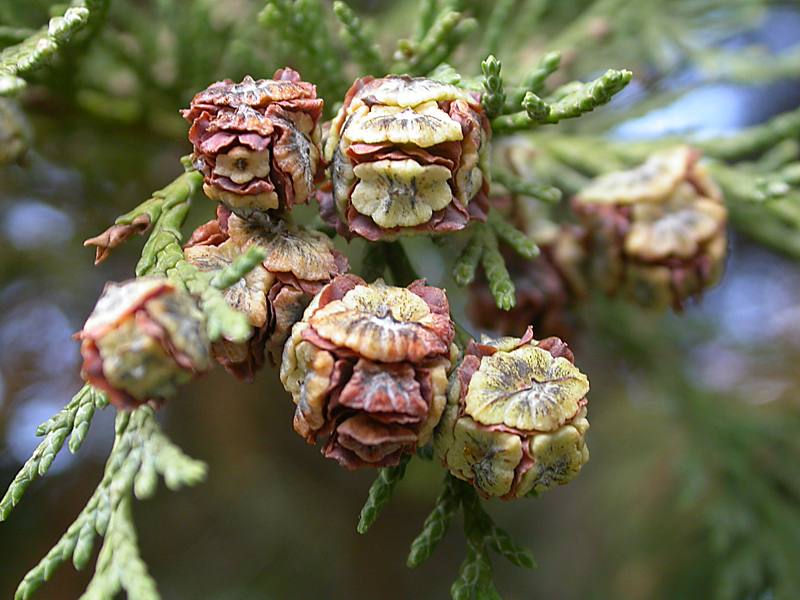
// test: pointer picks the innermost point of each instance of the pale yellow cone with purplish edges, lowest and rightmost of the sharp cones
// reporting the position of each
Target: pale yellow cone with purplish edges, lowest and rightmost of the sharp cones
(515, 420)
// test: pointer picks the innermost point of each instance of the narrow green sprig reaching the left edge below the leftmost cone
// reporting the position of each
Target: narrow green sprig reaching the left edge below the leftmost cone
(71, 421)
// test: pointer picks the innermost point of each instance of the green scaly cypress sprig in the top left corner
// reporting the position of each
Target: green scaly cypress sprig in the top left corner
(42, 46)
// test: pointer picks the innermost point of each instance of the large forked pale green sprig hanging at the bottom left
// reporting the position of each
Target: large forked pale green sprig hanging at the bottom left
(139, 441)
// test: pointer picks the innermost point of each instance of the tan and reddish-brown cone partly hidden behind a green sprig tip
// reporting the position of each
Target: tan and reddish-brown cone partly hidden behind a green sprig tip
(273, 296)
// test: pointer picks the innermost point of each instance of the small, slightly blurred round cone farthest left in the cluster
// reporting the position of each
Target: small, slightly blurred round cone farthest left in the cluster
(143, 339)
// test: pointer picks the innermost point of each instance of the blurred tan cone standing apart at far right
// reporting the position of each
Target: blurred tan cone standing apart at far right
(656, 232)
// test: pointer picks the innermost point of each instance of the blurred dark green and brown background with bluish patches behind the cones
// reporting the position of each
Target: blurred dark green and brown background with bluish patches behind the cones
(693, 485)
